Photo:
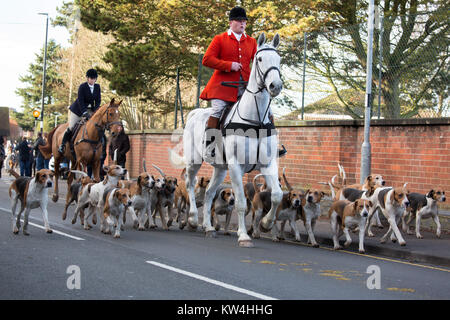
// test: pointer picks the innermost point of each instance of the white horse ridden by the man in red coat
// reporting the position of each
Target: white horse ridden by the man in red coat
(242, 153)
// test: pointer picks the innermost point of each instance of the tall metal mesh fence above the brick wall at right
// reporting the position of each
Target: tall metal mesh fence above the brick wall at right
(324, 72)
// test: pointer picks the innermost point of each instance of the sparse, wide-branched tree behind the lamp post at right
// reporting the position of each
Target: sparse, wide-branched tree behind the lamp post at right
(414, 55)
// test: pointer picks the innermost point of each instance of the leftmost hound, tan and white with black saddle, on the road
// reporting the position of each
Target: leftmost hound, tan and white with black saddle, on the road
(32, 193)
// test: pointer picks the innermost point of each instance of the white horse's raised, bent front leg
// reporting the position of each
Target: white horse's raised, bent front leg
(271, 175)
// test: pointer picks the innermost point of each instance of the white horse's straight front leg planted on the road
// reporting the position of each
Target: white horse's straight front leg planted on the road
(240, 205)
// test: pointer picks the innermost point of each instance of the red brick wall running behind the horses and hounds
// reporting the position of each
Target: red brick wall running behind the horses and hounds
(408, 151)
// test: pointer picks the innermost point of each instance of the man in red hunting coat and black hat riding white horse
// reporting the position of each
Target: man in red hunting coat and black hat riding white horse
(230, 54)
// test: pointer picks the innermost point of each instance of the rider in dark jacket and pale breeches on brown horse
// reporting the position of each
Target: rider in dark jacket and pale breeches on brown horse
(88, 101)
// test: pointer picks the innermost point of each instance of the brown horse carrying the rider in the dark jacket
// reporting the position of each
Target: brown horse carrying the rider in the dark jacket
(87, 146)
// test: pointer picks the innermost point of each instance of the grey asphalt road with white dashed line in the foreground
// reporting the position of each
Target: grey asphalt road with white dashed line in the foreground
(180, 265)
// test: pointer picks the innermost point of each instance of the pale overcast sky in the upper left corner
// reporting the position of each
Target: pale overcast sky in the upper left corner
(22, 36)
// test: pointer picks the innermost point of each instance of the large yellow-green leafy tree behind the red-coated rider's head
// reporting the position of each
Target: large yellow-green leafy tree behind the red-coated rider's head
(154, 38)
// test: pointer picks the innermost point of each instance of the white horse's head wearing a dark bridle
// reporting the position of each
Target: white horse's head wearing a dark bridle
(267, 62)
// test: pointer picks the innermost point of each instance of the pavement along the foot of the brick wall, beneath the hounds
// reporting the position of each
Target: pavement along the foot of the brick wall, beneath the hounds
(429, 250)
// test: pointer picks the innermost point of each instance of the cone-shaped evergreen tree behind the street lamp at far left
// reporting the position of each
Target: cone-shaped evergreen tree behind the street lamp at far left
(32, 92)
